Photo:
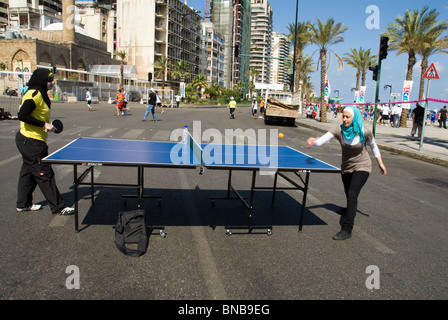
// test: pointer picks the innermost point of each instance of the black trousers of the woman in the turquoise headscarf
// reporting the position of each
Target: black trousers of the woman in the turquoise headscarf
(353, 183)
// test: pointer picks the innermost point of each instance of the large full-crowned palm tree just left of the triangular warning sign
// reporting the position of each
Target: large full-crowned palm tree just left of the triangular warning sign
(406, 36)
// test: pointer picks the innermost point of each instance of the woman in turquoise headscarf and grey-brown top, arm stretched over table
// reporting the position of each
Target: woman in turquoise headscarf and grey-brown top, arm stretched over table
(356, 164)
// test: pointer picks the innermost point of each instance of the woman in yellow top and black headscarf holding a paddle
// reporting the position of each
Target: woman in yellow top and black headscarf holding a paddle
(31, 141)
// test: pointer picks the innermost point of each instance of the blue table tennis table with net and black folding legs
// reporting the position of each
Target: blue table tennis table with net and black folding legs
(280, 160)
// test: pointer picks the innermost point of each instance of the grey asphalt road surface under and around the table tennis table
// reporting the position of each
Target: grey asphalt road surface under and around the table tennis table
(398, 250)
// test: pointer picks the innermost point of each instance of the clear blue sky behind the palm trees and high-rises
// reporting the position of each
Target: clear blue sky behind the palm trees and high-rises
(352, 13)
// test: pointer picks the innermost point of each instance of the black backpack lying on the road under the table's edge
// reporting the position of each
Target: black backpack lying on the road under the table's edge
(131, 228)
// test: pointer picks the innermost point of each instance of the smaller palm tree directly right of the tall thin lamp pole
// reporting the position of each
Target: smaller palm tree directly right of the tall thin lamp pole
(303, 39)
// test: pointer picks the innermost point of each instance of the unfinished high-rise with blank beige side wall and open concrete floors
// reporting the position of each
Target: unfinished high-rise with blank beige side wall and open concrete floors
(148, 30)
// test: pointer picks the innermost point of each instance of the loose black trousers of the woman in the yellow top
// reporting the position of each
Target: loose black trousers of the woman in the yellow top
(36, 173)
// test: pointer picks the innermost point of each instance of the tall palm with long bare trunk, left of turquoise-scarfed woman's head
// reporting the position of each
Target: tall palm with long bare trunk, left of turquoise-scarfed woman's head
(324, 35)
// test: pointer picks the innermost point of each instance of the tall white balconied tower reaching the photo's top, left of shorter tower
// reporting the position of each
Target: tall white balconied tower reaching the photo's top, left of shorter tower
(261, 37)
